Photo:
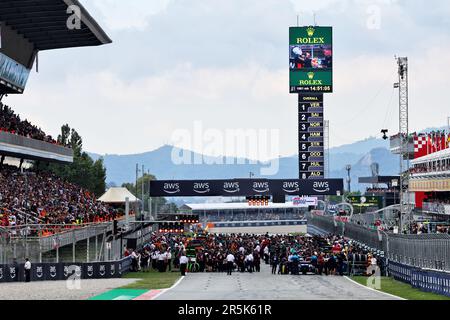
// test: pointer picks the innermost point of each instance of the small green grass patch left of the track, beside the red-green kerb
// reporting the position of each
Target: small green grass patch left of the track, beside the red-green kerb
(151, 280)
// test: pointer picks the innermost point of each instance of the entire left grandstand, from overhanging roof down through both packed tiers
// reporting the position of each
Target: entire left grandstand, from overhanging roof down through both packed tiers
(36, 204)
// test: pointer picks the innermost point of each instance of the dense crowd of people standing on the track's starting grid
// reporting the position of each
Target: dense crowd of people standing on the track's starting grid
(286, 254)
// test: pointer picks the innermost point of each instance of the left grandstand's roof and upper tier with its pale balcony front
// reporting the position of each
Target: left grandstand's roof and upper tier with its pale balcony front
(28, 28)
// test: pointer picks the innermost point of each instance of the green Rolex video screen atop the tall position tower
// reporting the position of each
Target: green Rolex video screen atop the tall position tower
(311, 59)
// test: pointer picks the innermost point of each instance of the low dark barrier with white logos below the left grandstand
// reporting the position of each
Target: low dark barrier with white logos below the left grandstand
(64, 271)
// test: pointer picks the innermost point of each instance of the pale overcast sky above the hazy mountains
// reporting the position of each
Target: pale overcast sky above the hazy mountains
(225, 63)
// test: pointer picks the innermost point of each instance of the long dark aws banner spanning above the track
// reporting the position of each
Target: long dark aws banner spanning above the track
(245, 187)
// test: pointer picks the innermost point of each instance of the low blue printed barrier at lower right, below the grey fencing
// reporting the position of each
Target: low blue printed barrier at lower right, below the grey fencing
(425, 280)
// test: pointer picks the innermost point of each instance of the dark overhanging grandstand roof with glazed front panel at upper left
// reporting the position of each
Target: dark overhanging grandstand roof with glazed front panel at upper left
(28, 27)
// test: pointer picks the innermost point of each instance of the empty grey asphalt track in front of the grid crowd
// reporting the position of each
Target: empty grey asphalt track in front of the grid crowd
(265, 286)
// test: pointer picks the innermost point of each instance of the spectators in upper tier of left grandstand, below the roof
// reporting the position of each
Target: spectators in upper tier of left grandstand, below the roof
(12, 123)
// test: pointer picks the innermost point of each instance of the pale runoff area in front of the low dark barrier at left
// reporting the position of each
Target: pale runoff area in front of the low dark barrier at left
(58, 290)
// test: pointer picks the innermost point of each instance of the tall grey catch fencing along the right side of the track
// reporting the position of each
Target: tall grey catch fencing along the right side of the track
(431, 251)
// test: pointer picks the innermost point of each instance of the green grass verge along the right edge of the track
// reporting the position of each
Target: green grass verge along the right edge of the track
(402, 290)
